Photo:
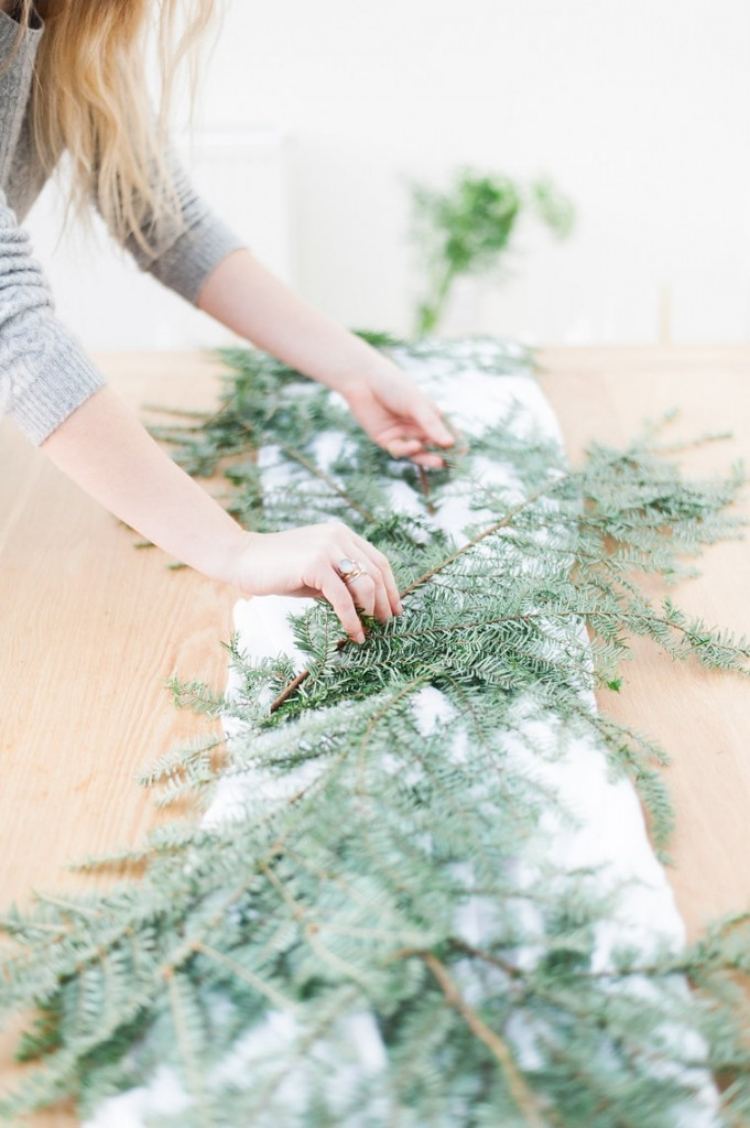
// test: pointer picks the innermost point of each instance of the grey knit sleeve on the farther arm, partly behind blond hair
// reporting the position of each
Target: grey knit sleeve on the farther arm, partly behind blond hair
(184, 259)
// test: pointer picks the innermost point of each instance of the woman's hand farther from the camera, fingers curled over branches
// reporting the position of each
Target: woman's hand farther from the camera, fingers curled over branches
(398, 416)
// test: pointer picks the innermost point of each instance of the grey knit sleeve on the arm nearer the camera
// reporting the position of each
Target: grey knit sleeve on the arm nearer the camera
(45, 373)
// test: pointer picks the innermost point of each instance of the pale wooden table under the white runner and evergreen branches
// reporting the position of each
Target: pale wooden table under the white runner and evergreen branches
(93, 629)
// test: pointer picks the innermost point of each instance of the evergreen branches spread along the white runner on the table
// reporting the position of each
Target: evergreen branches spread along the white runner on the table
(339, 897)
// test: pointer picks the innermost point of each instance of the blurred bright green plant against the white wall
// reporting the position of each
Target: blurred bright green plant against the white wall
(469, 228)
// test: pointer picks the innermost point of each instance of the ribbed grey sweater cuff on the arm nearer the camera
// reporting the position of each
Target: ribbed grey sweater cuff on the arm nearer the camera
(47, 401)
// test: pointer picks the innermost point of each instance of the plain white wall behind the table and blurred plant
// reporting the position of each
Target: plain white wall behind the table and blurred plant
(640, 110)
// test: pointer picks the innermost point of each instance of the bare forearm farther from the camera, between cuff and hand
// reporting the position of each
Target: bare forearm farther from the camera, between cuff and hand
(252, 302)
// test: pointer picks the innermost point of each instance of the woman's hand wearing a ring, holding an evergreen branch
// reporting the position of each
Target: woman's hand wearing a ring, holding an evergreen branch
(305, 562)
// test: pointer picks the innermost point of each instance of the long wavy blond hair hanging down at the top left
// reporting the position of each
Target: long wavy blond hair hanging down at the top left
(91, 101)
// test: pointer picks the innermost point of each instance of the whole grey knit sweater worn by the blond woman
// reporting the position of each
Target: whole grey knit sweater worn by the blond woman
(45, 374)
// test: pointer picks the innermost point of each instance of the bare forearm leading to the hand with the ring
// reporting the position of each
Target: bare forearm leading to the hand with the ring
(105, 451)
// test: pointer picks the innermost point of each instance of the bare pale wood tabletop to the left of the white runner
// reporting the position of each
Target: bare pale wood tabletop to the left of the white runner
(92, 631)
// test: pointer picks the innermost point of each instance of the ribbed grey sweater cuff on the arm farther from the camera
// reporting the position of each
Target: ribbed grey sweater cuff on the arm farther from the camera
(192, 258)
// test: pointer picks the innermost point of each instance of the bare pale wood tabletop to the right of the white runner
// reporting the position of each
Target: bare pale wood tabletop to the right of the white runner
(702, 719)
